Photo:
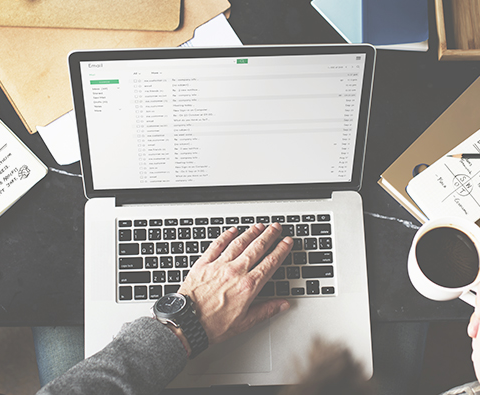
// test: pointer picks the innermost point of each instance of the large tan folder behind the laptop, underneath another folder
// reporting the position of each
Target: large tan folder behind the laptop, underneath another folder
(33, 61)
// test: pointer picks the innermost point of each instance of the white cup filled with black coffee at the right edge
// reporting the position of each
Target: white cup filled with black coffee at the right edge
(443, 262)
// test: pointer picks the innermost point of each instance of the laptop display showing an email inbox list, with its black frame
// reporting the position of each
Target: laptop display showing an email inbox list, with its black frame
(222, 118)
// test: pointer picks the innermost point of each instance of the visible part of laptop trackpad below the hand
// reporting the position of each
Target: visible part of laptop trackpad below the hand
(245, 353)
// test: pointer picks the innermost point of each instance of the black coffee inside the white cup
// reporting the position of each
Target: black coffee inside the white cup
(448, 257)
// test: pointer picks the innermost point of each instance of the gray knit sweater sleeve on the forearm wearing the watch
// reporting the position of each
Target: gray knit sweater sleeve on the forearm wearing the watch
(143, 358)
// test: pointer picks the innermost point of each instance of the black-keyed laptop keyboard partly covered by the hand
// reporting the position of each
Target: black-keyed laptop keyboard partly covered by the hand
(154, 255)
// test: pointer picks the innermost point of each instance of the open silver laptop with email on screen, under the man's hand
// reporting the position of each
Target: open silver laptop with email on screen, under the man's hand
(180, 144)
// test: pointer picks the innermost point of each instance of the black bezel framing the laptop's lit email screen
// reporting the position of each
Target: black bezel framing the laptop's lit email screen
(221, 193)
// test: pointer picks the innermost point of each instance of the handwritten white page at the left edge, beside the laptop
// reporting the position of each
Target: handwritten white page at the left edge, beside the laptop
(20, 169)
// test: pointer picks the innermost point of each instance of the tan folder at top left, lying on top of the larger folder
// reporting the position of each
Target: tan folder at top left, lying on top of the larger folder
(163, 15)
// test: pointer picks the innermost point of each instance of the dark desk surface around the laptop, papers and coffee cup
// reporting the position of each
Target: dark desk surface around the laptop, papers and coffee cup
(41, 236)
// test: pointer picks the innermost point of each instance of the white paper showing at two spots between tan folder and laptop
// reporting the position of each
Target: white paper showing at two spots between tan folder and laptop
(60, 136)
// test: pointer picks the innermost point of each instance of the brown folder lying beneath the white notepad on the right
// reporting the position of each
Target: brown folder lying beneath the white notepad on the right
(457, 122)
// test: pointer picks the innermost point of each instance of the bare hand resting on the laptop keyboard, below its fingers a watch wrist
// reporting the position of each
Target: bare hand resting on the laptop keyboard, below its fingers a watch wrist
(224, 282)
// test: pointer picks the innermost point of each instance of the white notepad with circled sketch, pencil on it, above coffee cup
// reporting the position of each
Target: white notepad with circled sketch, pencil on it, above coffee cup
(450, 186)
